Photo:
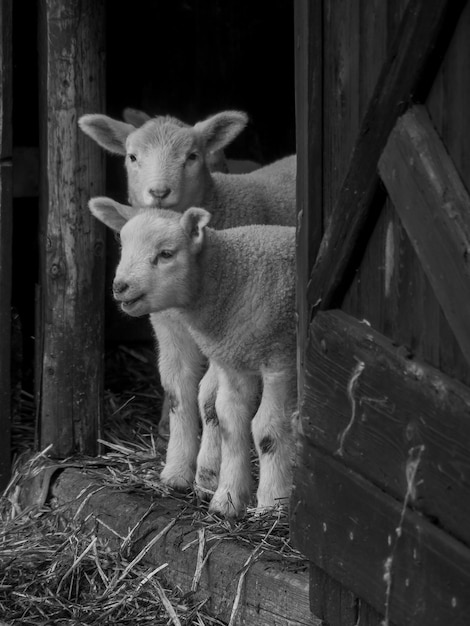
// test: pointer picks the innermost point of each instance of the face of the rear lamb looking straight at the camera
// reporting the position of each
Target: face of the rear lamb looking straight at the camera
(165, 165)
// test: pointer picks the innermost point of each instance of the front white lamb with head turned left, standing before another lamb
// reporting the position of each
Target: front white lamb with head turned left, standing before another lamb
(234, 290)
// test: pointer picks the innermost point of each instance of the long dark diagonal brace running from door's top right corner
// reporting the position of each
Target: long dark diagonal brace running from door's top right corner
(402, 76)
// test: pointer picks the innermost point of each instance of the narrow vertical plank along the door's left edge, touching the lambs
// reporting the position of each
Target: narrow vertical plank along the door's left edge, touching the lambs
(309, 79)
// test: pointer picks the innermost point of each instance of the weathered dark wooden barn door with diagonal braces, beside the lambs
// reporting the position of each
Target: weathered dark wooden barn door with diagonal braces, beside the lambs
(382, 490)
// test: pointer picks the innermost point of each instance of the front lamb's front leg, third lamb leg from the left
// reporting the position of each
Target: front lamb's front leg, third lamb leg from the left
(235, 406)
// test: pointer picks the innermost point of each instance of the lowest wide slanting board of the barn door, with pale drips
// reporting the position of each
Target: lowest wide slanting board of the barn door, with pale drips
(409, 570)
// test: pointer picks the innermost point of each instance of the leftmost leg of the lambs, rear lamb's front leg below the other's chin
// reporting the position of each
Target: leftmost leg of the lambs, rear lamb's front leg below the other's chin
(181, 366)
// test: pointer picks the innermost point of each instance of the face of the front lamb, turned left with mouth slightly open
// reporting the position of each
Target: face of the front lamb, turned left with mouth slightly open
(156, 270)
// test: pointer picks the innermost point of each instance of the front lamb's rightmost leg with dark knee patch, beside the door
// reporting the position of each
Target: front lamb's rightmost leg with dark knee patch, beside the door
(272, 434)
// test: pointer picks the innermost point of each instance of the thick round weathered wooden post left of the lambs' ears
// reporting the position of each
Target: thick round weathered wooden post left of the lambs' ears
(70, 342)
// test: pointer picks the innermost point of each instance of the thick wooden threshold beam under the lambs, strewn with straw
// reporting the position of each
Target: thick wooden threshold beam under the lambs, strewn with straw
(273, 593)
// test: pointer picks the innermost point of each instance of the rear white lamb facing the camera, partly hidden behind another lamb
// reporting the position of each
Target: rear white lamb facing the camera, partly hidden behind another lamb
(166, 164)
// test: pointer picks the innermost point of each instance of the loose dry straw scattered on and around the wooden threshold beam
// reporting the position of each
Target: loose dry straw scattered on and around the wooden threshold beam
(57, 570)
